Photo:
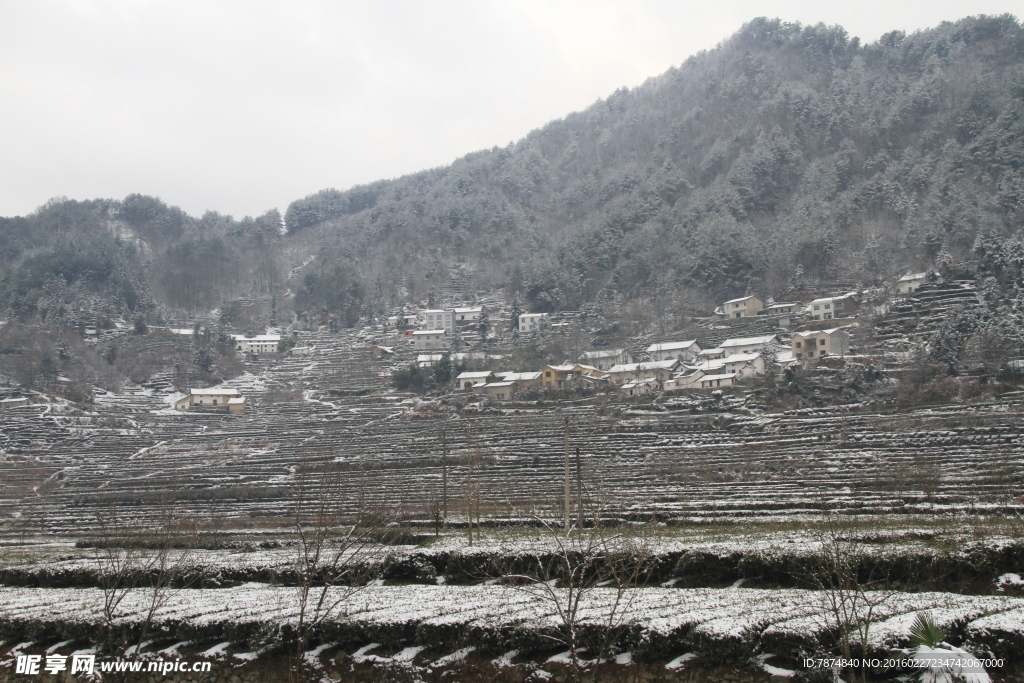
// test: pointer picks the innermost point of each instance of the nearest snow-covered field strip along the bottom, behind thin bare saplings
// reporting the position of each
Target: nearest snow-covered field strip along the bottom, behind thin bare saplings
(665, 623)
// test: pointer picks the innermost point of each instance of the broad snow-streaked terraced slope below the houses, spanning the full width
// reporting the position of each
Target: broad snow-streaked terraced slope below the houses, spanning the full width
(682, 460)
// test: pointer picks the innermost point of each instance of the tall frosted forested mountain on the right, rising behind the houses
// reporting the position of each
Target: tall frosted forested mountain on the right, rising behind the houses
(787, 153)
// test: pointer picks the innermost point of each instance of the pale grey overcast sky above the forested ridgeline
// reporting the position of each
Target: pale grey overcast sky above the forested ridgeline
(242, 107)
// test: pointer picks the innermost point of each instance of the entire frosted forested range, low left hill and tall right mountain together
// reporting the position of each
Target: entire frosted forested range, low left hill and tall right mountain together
(788, 154)
